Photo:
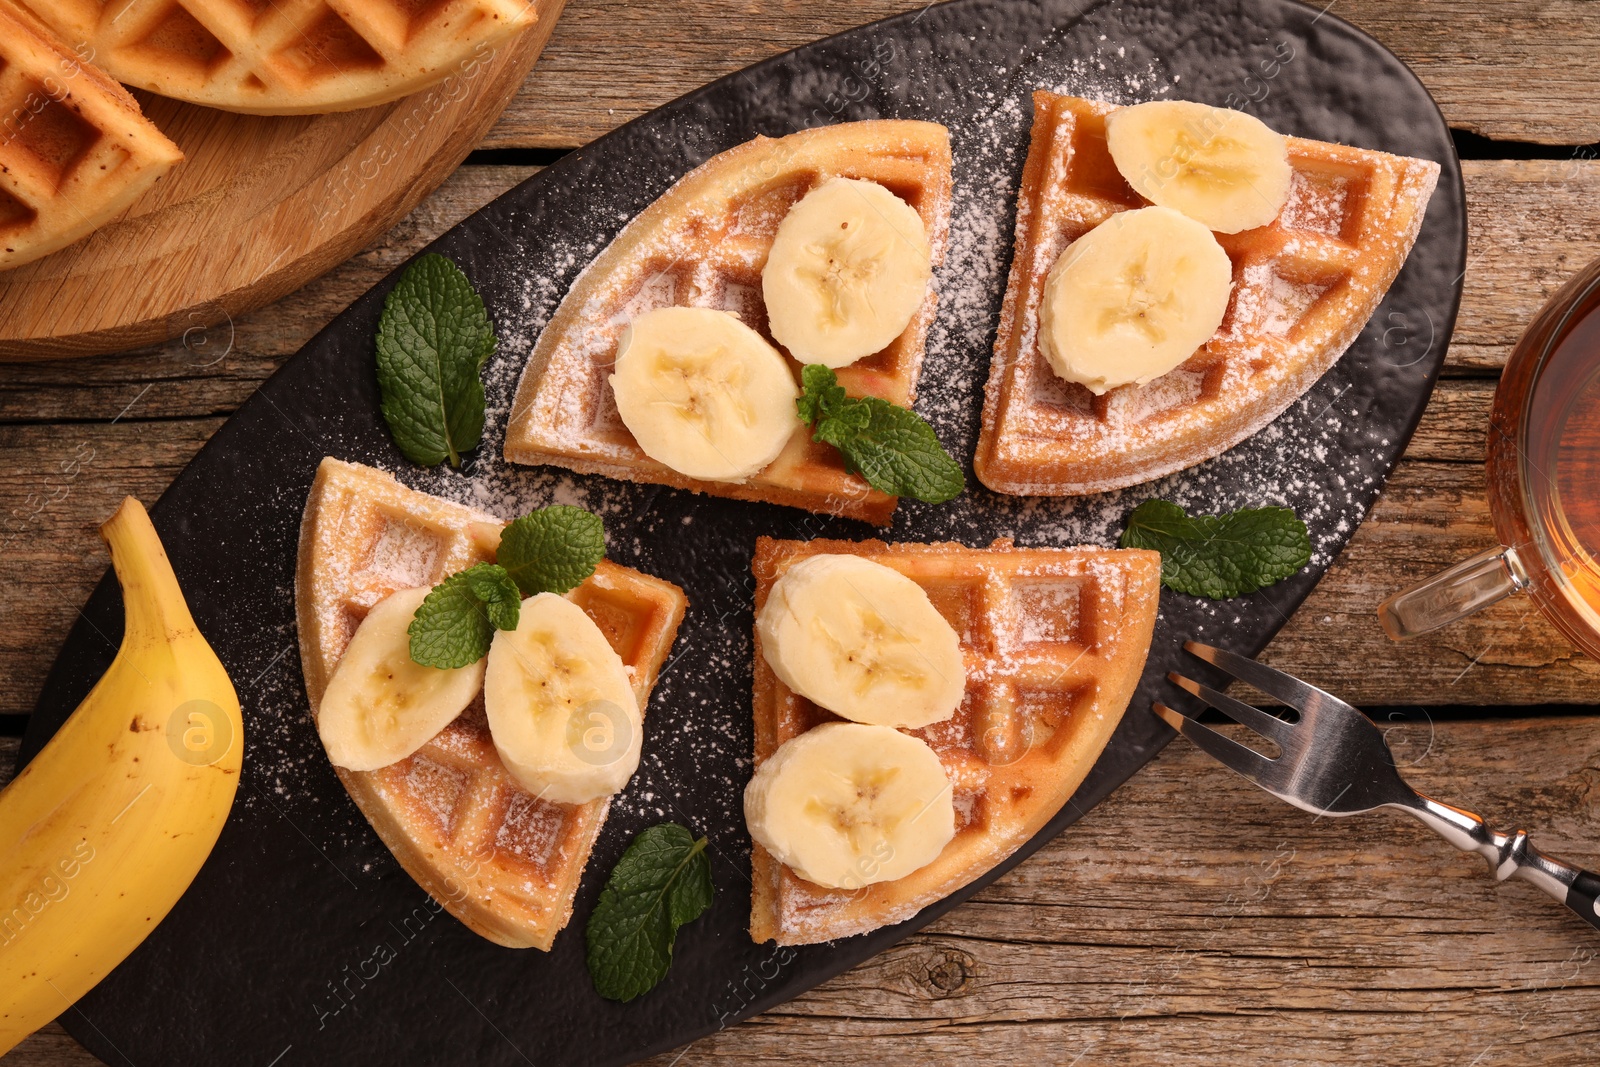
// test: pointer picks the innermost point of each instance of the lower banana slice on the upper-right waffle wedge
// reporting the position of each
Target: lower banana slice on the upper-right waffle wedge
(1134, 298)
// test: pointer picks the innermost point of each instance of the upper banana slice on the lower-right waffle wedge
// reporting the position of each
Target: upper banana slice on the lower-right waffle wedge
(863, 641)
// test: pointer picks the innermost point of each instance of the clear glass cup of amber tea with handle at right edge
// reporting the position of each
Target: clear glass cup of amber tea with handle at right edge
(1545, 484)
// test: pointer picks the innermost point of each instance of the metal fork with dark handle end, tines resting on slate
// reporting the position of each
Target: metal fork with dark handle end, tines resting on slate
(1335, 762)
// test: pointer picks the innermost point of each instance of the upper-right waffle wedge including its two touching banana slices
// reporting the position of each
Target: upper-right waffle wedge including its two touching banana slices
(1182, 276)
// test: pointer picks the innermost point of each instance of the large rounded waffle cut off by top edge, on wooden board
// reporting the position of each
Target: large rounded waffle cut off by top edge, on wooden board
(286, 57)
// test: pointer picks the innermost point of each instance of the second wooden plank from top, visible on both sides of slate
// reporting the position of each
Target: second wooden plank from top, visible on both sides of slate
(1530, 230)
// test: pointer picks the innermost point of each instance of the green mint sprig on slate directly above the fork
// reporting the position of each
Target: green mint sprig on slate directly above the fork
(1220, 556)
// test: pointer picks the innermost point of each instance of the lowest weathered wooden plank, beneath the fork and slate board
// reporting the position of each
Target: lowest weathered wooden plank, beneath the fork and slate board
(1263, 935)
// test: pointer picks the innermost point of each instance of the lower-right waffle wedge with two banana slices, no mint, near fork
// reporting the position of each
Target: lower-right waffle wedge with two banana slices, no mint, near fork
(921, 713)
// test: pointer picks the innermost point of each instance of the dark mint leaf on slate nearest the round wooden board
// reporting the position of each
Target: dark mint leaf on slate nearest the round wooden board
(433, 342)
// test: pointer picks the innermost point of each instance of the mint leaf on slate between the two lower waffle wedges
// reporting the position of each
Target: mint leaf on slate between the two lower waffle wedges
(662, 884)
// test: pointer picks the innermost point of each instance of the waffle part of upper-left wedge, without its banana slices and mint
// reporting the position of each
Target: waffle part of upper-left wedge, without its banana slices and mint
(703, 244)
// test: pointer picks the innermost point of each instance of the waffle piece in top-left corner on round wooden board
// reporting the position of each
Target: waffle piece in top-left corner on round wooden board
(74, 146)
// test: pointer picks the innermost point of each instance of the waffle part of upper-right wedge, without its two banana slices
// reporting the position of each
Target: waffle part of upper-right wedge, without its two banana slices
(1303, 289)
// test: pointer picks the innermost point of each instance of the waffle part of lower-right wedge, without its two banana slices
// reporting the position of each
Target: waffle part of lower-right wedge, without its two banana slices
(1054, 642)
